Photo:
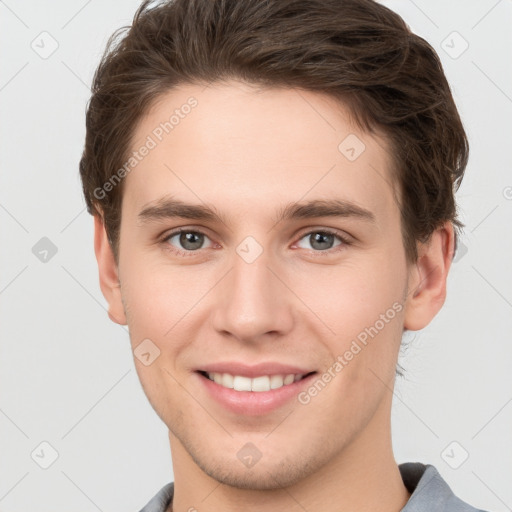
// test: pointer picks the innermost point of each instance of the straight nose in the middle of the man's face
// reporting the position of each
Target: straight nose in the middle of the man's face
(254, 300)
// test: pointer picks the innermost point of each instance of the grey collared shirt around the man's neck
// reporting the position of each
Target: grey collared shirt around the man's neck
(429, 492)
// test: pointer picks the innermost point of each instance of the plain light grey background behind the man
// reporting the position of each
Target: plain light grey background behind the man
(67, 375)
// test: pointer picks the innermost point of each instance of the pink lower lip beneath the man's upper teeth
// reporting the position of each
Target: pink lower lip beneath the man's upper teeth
(254, 403)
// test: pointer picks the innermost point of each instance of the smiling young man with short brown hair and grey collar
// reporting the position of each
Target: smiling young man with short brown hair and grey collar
(272, 184)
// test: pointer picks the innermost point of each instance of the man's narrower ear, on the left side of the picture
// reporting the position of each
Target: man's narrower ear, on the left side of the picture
(109, 279)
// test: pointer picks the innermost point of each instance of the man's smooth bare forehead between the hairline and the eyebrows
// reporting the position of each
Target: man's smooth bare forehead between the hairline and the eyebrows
(246, 149)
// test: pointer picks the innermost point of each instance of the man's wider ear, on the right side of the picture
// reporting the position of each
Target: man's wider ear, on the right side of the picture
(427, 278)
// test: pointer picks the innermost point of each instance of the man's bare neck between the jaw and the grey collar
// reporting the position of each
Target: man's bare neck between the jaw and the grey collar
(363, 476)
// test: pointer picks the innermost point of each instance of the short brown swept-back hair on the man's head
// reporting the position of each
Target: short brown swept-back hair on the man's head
(356, 51)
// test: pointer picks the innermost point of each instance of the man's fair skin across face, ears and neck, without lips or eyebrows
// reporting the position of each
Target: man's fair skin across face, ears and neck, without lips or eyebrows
(249, 154)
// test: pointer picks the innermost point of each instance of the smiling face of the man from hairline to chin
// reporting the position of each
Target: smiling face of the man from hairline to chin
(260, 238)
